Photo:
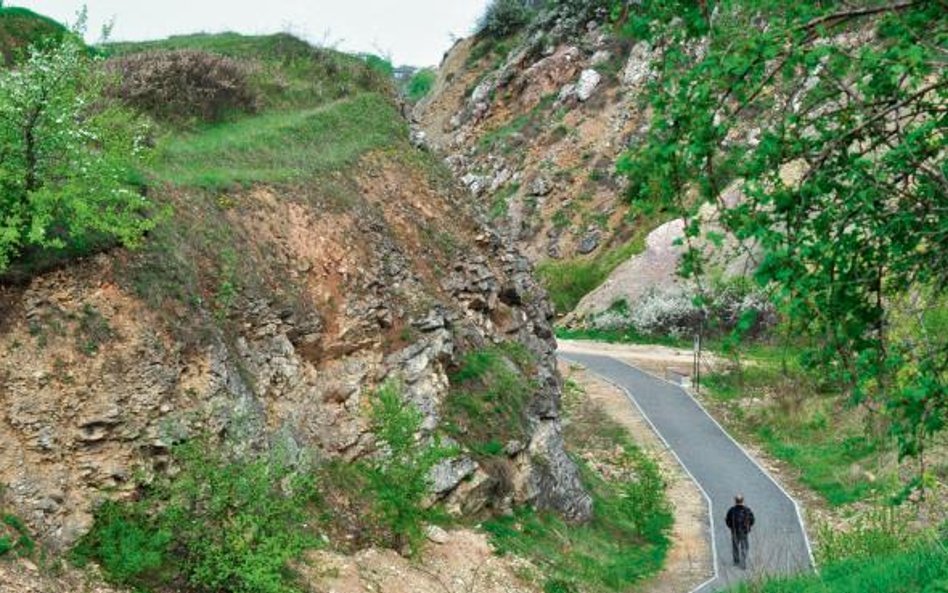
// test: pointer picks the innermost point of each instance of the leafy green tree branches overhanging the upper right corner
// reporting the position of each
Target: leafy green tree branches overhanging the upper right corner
(844, 187)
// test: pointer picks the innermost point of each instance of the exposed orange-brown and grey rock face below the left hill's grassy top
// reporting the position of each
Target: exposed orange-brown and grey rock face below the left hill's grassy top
(96, 383)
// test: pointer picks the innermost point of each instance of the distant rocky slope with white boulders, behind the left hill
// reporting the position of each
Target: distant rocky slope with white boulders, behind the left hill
(536, 134)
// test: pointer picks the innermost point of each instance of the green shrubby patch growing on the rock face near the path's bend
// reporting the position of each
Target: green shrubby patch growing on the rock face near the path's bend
(486, 407)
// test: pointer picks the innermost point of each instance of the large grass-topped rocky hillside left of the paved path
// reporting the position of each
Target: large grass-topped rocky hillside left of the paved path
(303, 262)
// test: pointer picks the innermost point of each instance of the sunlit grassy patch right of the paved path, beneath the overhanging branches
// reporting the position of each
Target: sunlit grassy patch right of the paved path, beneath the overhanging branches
(810, 427)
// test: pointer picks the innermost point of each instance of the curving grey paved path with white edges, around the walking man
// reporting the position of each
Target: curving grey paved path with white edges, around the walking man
(778, 543)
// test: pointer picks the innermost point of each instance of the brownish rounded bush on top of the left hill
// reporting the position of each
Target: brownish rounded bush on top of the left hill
(180, 85)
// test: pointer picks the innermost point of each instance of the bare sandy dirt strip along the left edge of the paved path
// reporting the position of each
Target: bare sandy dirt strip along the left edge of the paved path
(689, 561)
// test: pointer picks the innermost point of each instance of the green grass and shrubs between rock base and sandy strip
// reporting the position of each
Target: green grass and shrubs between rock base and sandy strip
(627, 539)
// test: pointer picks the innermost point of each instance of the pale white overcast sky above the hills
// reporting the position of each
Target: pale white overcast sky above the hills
(415, 32)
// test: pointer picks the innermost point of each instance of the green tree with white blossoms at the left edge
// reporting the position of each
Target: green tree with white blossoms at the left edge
(68, 158)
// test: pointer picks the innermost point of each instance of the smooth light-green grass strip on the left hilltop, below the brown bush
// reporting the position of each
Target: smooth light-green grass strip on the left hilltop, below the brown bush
(281, 146)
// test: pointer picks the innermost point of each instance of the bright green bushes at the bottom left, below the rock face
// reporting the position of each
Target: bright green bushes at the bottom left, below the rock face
(219, 524)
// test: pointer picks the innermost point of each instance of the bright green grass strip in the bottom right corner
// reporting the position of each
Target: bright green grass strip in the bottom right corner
(922, 570)
